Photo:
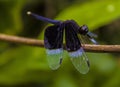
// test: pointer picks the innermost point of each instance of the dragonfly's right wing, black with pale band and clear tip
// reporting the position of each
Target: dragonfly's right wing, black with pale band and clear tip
(76, 52)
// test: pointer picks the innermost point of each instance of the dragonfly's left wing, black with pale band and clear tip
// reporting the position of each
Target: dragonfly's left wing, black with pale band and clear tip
(53, 40)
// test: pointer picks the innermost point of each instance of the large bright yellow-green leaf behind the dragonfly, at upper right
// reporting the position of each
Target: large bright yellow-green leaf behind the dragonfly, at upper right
(94, 14)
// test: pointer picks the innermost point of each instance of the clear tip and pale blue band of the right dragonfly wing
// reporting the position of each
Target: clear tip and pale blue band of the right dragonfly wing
(80, 60)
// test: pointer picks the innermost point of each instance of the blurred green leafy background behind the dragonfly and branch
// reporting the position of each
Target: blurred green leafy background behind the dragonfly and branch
(26, 66)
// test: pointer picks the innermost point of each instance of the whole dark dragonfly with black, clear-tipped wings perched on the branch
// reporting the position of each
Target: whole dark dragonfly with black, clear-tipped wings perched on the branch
(53, 42)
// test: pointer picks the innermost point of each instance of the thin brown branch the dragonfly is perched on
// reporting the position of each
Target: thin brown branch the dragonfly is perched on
(40, 43)
